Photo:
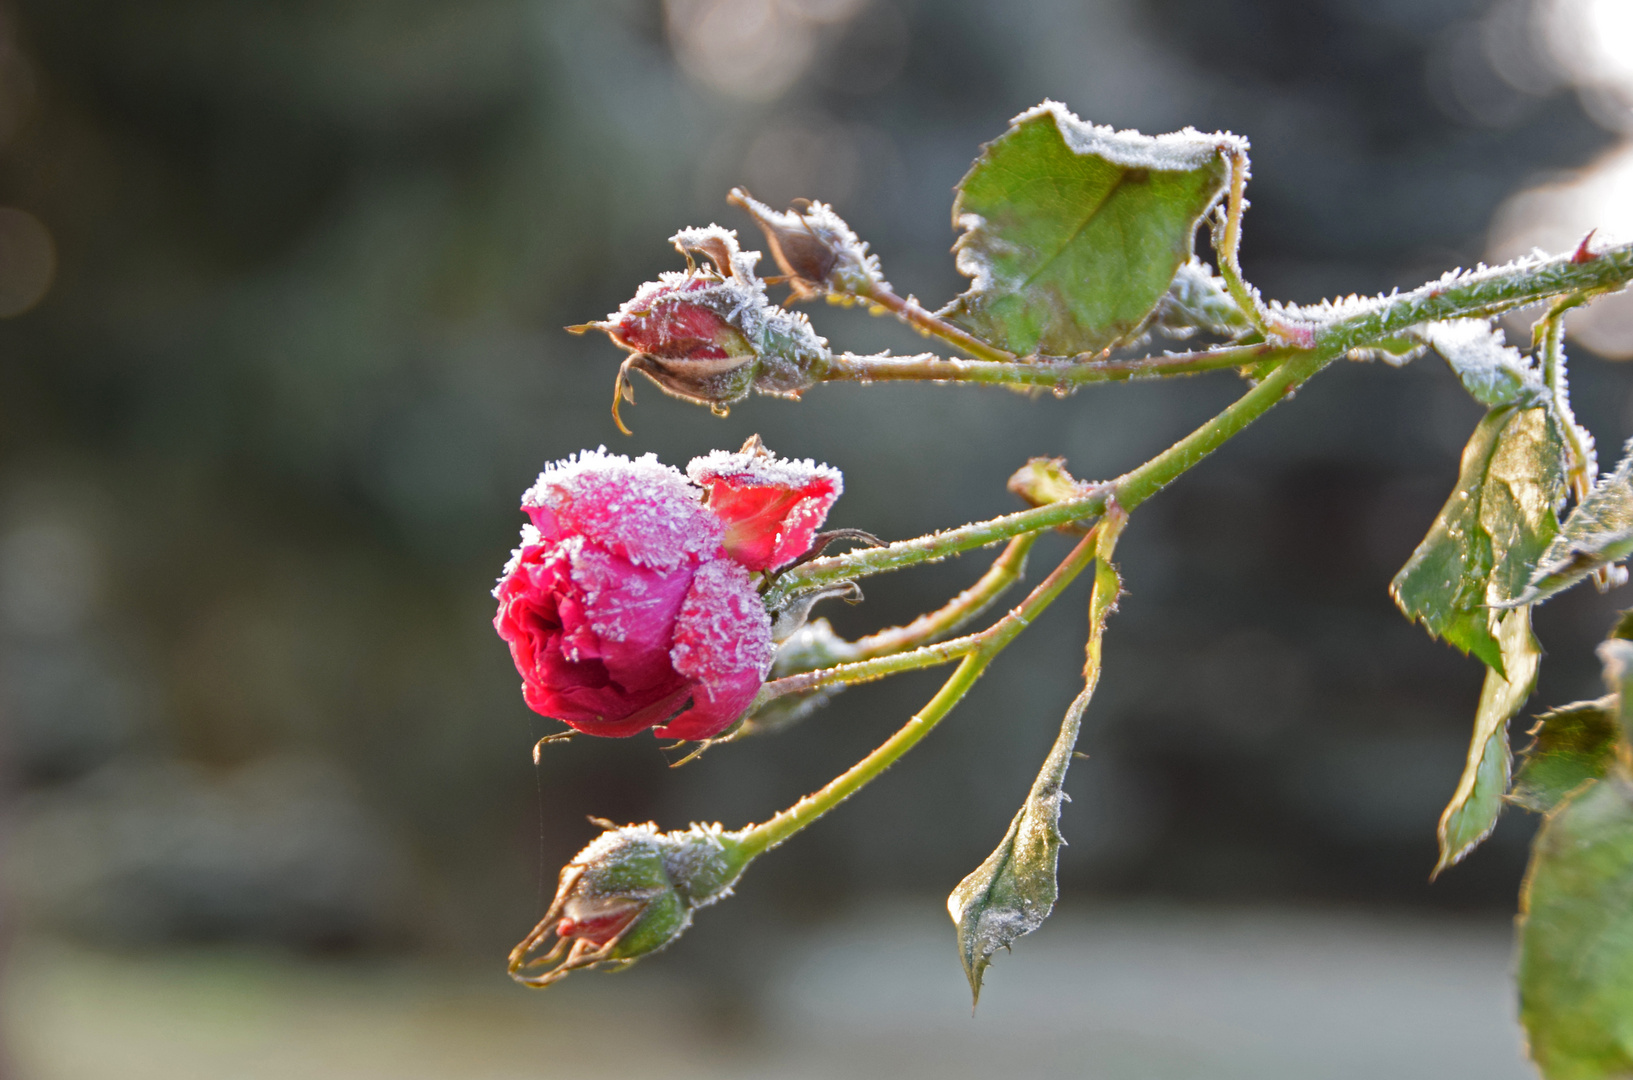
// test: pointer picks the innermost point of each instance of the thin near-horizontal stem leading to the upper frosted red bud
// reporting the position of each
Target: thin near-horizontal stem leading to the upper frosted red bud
(1061, 375)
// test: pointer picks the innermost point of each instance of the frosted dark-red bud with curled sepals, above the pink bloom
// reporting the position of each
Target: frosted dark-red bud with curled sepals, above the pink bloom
(710, 334)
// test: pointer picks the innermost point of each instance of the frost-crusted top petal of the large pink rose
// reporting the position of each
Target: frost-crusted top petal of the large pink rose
(641, 511)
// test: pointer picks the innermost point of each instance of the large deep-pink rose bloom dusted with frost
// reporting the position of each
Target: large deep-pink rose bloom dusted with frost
(623, 610)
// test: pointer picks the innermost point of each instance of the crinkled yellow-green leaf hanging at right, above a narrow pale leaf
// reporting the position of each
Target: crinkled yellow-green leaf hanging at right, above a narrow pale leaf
(1490, 533)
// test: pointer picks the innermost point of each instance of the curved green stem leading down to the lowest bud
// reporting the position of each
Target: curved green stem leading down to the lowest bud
(773, 832)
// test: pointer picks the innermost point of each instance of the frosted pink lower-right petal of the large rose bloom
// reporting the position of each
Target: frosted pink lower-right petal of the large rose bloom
(723, 645)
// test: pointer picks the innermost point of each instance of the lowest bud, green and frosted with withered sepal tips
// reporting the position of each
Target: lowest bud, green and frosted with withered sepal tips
(631, 893)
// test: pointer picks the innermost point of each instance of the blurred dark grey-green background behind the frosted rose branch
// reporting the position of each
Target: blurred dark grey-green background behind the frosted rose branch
(285, 288)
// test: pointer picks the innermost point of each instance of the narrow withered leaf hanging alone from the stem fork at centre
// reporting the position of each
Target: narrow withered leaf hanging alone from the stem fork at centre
(1013, 891)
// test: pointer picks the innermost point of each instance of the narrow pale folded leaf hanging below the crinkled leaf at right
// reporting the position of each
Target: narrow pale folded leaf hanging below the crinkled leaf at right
(1479, 798)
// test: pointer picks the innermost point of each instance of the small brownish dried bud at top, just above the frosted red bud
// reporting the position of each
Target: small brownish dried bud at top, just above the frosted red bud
(814, 248)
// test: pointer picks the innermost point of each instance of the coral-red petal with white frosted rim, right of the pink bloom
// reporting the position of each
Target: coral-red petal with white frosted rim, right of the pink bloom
(772, 507)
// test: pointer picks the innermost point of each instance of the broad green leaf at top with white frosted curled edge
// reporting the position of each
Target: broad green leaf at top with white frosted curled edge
(1074, 233)
